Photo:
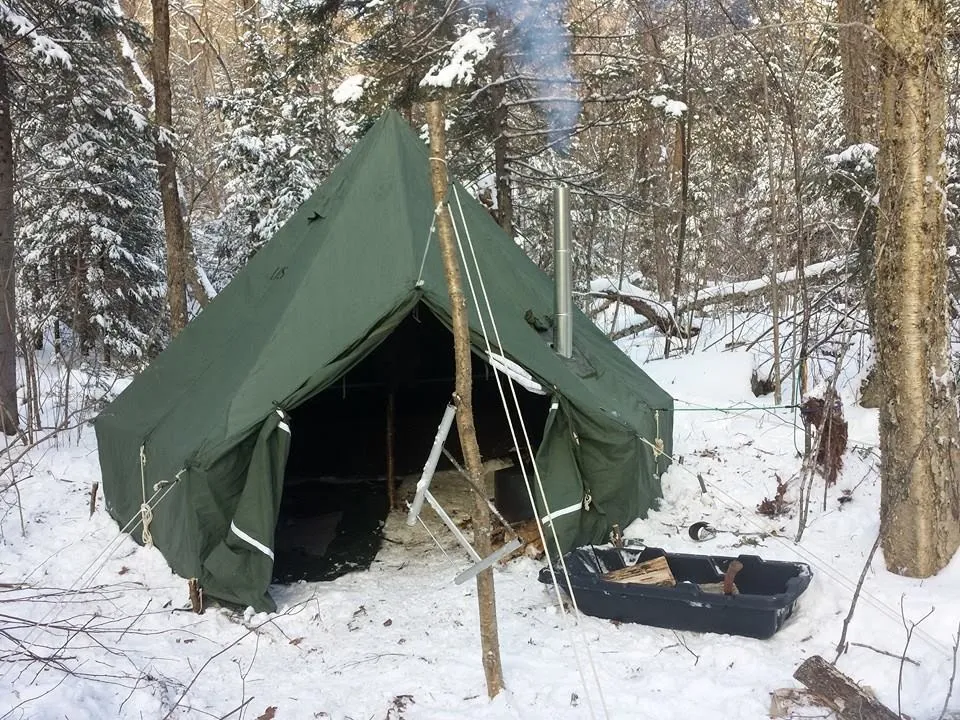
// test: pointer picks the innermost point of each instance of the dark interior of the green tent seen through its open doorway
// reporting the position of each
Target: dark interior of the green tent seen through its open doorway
(335, 499)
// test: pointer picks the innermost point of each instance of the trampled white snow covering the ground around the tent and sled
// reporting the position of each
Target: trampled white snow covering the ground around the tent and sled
(401, 640)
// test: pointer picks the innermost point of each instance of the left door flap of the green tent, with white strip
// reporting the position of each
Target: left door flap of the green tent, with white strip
(240, 567)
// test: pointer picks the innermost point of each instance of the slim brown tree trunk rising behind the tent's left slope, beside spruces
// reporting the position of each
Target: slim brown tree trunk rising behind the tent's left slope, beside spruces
(169, 192)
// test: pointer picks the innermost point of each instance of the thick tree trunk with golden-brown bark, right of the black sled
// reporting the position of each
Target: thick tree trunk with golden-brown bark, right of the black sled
(919, 429)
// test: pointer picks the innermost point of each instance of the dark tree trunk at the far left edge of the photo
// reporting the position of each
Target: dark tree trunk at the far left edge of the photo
(9, 413)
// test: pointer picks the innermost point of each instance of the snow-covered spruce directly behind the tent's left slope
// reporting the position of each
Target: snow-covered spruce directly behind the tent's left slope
(281, 134)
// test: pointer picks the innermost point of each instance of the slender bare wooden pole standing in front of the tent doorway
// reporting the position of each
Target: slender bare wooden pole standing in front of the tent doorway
(489, 640)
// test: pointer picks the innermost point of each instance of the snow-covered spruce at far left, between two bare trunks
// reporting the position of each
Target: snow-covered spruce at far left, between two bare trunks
(89, 232)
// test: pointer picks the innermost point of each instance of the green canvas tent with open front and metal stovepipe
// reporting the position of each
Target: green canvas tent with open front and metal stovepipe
(205, 432)
